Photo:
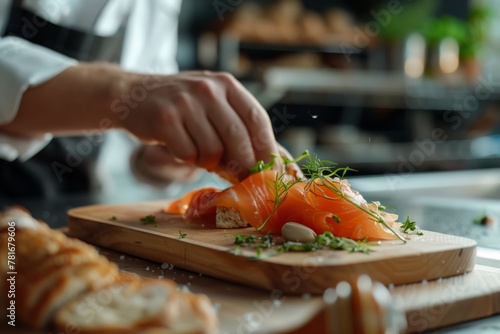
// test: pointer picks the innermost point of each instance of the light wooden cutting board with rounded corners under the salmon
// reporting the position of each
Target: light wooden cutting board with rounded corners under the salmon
(211, 251)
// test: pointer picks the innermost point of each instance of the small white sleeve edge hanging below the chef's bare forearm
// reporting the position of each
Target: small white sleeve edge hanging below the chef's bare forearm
(12, 148)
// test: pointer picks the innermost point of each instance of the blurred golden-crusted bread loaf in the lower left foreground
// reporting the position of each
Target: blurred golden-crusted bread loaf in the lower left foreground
(65, 283)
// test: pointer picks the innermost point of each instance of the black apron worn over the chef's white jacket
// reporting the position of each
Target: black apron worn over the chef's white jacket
(67, 164)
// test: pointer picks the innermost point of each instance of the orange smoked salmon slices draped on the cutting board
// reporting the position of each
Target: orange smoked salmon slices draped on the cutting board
(322, 205)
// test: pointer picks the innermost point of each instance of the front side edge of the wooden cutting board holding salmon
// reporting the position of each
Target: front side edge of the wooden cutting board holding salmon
(297, 279)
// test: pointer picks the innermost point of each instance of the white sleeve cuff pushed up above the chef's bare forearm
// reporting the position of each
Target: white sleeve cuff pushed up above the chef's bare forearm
(23, 64)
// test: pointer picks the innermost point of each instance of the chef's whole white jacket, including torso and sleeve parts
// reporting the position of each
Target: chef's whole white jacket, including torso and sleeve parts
(149, 46)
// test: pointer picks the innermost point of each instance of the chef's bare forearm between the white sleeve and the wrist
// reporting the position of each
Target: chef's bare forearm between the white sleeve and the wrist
(77, 99)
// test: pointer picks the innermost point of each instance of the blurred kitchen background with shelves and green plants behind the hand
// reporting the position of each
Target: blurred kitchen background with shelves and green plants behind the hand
(360, 82)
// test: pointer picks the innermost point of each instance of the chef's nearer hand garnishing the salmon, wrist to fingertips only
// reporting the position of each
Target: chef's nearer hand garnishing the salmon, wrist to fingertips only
(206, 119)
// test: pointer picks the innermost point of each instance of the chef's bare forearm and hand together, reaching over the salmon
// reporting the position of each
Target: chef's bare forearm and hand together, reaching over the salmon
(204, 118)
